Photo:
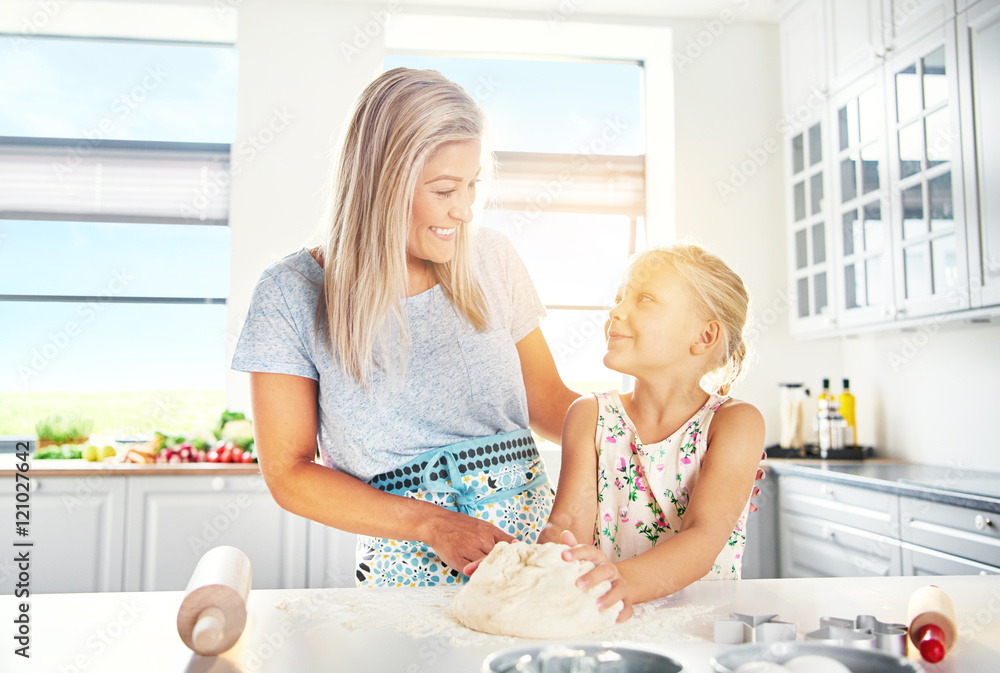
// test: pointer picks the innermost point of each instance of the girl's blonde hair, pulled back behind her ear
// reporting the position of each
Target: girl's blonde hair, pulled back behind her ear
(717, 293)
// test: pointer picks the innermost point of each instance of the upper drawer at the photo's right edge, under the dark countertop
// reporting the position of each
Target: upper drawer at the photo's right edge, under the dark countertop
(959, 531)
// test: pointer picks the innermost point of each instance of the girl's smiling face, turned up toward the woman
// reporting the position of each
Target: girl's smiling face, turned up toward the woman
(652, 326)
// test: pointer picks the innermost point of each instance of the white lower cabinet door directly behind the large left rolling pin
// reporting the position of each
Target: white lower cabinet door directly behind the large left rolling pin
(173, 521)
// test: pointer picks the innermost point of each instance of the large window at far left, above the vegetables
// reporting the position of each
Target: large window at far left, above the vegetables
(114, 207)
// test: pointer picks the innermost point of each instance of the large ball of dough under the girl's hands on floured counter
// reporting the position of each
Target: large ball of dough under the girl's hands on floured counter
(529, 591)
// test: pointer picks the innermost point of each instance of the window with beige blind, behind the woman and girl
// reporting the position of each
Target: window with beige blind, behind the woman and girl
(574, 165)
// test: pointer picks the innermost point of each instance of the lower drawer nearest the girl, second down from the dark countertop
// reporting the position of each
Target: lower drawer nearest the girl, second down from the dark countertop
(814, 548)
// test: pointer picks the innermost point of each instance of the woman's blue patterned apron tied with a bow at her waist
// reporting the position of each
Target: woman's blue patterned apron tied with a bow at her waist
(500, 479)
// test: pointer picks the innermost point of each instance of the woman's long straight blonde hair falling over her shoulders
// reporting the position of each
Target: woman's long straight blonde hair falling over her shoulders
(400, 120)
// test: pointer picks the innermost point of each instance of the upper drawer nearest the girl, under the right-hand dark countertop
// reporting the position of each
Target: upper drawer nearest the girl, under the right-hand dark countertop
(862, 508)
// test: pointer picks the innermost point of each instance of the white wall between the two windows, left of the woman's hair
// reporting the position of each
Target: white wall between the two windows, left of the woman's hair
(291, 64)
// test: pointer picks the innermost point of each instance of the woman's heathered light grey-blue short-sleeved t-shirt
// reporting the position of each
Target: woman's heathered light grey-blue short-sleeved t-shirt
(458, 383)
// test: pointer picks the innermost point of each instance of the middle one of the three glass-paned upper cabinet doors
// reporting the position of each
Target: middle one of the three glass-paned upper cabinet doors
(863, 240)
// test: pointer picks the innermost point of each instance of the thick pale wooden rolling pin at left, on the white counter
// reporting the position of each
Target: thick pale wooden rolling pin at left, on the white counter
(214, 610)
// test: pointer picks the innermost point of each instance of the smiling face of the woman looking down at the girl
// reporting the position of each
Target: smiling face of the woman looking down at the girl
(442, 202)
